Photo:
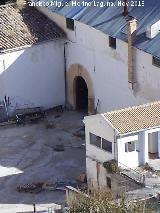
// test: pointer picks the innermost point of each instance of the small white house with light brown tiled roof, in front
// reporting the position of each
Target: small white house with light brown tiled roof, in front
(131, 136)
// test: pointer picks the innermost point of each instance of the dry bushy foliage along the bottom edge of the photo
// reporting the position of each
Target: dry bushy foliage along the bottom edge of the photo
(103, 202)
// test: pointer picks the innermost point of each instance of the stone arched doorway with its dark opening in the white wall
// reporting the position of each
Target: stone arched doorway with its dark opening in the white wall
(77, 74)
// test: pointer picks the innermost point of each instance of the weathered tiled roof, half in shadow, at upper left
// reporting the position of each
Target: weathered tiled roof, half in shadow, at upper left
(24, 27)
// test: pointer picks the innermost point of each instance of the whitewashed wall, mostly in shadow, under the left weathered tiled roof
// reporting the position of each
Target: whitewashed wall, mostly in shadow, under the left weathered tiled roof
(34, 76)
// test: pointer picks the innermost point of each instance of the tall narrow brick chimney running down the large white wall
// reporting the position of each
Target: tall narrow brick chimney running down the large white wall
(132, 27)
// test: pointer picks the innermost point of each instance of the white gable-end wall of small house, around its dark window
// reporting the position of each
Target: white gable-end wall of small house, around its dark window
(97, 125)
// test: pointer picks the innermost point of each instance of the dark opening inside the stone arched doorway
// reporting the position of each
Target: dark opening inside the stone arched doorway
(81, 94)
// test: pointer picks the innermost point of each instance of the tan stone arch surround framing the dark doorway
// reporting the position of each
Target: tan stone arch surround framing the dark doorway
(77, 70)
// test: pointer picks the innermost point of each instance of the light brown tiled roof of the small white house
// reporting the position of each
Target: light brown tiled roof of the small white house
(135, 118)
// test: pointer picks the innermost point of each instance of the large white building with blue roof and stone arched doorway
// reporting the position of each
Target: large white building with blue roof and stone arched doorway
(98, 54)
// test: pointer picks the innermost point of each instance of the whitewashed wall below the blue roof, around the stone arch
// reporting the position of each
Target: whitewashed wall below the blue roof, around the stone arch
(108, 67)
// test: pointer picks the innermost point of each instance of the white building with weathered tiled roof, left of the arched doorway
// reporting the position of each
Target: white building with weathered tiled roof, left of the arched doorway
(31, 59)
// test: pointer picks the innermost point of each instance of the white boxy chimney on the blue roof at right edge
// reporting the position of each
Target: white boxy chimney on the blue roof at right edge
(152, 30)
